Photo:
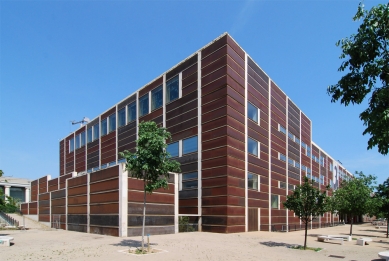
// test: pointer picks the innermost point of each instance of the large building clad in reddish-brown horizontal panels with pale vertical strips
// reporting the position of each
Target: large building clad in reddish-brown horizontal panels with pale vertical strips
(242, 143)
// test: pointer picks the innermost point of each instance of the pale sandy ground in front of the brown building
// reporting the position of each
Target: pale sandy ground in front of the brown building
(40, 243)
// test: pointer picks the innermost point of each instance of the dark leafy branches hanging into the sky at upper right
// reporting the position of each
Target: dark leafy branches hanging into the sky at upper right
(367, 60)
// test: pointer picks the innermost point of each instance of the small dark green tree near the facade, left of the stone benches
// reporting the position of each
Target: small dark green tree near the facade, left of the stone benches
(307, 201)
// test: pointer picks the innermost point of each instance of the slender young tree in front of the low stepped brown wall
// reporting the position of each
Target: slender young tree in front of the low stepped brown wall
(150, 162)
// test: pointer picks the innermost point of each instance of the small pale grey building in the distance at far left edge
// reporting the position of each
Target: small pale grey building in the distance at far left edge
(16, 188)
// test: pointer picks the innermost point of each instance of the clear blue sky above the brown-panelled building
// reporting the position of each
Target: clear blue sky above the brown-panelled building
(65, 60)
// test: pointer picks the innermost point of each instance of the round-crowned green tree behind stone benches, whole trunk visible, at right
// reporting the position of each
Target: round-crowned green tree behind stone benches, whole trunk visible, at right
(355, 197)
